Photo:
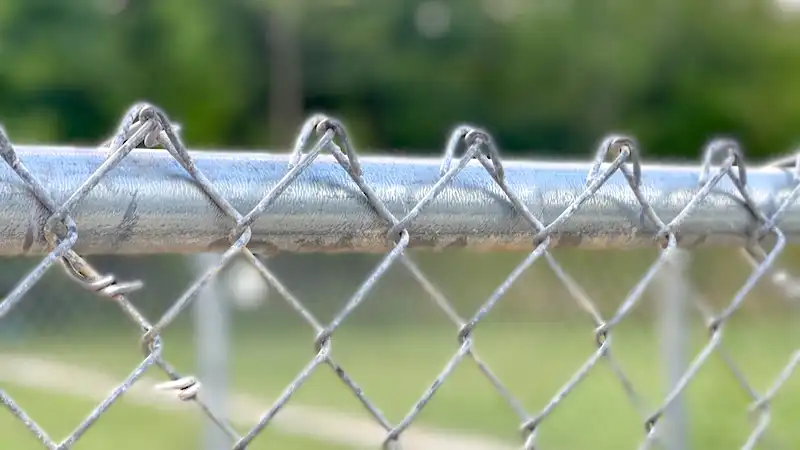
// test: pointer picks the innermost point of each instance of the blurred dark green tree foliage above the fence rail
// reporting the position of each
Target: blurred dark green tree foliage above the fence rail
(543, 75)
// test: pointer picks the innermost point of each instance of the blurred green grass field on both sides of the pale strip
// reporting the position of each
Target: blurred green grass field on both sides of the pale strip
(395, 366)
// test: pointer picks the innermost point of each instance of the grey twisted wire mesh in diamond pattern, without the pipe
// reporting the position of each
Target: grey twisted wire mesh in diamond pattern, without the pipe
(145, 125)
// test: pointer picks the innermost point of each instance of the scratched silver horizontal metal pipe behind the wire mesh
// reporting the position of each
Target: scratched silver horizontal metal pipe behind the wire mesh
(149, 205)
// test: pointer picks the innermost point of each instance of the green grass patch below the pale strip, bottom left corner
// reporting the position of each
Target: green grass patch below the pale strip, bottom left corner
(122, 427)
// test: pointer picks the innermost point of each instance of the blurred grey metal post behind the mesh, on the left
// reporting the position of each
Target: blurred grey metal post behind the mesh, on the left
(212, 344)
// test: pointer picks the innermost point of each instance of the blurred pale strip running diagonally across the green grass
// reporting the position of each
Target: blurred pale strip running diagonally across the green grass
(321, 424)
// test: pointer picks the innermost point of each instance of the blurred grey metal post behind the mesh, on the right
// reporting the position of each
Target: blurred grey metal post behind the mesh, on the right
(674, 340)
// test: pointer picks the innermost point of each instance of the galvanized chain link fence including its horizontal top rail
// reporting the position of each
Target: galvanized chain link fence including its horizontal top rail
(617, 203)
